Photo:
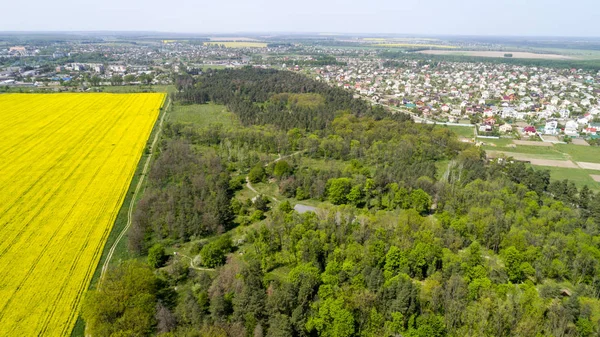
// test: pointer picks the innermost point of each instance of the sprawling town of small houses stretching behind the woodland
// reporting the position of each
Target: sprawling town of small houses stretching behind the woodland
(513, 99)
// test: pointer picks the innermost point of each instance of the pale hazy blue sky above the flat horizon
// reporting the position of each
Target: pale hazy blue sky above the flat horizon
(452, 17)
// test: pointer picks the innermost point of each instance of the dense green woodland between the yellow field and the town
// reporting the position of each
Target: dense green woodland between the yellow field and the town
(415, 234)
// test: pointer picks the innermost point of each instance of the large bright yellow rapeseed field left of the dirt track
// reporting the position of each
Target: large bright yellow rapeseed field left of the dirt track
(66, 161)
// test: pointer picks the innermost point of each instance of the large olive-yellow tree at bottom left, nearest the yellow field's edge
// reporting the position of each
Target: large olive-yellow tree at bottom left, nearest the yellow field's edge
(124, 303)
